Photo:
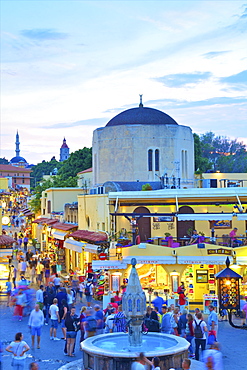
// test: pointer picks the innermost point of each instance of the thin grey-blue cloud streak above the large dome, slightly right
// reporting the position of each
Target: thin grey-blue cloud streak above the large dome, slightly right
(182, 79)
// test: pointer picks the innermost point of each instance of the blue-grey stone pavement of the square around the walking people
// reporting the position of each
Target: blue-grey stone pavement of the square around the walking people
(51, 357)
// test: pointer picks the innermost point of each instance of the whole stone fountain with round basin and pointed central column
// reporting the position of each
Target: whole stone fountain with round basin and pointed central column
(117, 351)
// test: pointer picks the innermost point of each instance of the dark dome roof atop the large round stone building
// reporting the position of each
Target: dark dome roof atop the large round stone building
(141, 116)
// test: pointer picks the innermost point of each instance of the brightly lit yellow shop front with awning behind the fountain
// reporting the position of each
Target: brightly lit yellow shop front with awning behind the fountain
(162, 269)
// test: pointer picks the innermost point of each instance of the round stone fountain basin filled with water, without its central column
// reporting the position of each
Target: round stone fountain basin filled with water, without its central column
(111, 352)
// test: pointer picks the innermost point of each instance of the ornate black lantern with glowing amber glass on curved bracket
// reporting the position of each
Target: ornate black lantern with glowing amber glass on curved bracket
(229, 292)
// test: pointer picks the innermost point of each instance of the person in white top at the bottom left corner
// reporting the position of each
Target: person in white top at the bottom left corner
(18, 348)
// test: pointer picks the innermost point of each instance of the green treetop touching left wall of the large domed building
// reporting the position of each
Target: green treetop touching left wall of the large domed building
(78, 161)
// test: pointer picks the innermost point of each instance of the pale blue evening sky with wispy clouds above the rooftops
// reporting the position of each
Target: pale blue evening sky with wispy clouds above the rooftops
(68, 67)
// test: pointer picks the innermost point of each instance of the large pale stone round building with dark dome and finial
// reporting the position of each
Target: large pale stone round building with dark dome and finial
(145, 145)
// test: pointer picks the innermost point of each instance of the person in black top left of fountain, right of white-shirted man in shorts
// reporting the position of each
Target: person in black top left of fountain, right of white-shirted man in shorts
(72, 324)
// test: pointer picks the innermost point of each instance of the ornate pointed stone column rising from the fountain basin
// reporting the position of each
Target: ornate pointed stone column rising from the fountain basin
(134, 307)
